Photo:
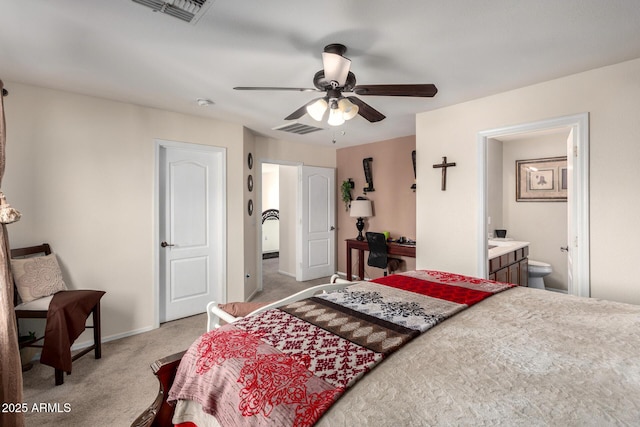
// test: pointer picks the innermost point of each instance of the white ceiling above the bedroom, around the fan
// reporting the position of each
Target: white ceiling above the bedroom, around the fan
(123, 51)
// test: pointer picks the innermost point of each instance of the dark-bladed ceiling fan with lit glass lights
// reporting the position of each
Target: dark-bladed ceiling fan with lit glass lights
(336, 78)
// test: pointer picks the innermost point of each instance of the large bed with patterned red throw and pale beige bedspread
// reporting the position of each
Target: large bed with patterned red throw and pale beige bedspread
(429, 348)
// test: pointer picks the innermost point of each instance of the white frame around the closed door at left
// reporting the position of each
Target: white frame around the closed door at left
(159, 144)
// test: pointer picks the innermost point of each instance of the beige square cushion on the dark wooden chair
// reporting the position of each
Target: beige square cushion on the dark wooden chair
(37, 277)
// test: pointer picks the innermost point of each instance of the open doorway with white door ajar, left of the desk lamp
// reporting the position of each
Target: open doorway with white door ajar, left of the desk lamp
(297, 248)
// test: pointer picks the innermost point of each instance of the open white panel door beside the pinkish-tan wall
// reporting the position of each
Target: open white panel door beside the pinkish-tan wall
(317, 238)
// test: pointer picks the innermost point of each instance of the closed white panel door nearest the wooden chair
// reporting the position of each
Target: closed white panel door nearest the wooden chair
(192, 230)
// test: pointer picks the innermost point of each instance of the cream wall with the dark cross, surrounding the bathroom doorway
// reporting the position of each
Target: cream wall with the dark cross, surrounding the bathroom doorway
(448, 220)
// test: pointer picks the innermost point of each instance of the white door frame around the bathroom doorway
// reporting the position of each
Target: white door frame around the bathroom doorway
(579, 199)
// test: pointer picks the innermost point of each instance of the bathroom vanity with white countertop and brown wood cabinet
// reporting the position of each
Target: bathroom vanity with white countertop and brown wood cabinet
(509, 262)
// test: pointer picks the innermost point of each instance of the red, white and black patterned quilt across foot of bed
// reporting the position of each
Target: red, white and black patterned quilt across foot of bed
(286, 366)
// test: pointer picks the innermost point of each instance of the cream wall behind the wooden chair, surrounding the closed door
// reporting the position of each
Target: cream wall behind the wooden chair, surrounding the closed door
(81, 170)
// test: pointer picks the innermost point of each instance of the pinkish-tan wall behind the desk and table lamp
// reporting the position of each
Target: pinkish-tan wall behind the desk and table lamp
(394, 202)
